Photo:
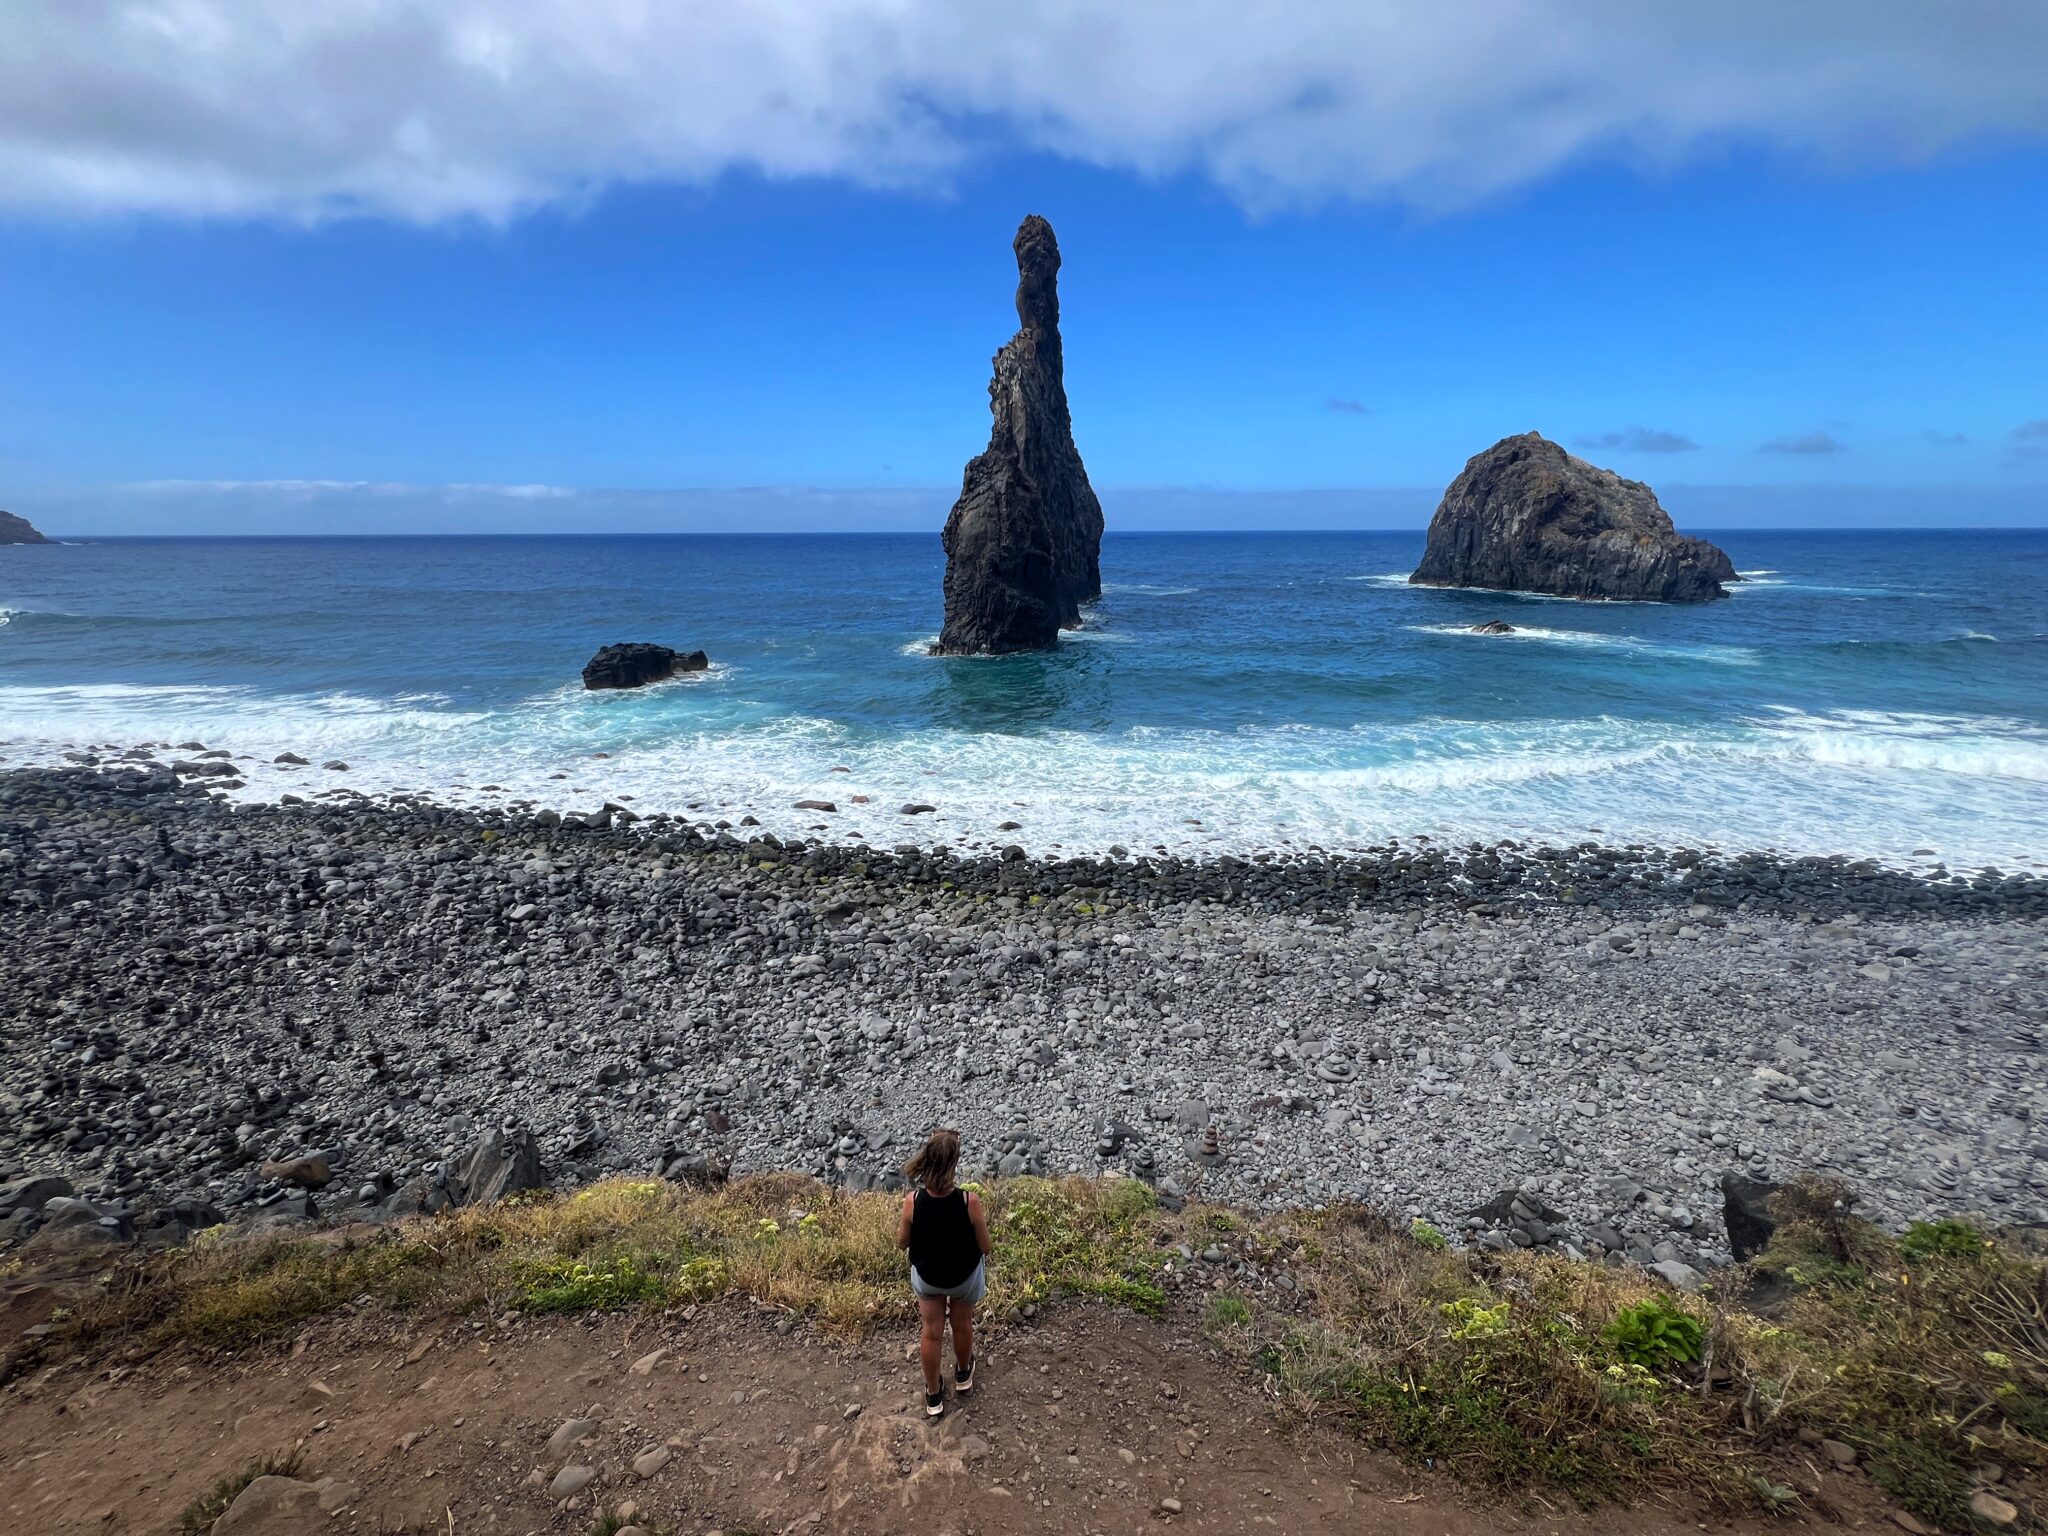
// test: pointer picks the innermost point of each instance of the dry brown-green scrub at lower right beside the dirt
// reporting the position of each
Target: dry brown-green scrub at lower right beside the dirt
(1928, 1355)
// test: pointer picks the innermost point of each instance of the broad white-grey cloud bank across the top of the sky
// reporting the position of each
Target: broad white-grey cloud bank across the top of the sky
(433, 110)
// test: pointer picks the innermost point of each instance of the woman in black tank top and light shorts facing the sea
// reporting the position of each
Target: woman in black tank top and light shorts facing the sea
(947, 1236)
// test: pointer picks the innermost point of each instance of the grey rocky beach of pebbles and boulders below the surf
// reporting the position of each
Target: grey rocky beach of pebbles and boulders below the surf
(206, 1000)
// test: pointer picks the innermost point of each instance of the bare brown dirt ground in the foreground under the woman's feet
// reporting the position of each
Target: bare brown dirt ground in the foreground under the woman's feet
(1086, 1422)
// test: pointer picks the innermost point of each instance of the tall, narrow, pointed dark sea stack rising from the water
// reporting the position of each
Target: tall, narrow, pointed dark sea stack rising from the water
(1025, 540)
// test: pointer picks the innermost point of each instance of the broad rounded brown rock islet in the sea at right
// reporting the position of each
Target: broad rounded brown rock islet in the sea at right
(1529, 517)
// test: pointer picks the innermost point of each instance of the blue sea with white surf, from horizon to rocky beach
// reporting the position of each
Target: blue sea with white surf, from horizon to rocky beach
(1865, 693)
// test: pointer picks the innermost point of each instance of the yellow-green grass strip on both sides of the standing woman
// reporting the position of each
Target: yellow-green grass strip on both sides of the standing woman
(781, 1242)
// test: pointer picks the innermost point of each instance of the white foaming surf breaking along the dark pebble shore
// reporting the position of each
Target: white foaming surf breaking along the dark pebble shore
(1865, 783)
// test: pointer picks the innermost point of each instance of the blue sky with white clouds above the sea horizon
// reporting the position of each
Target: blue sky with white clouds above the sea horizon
(474, 265)
